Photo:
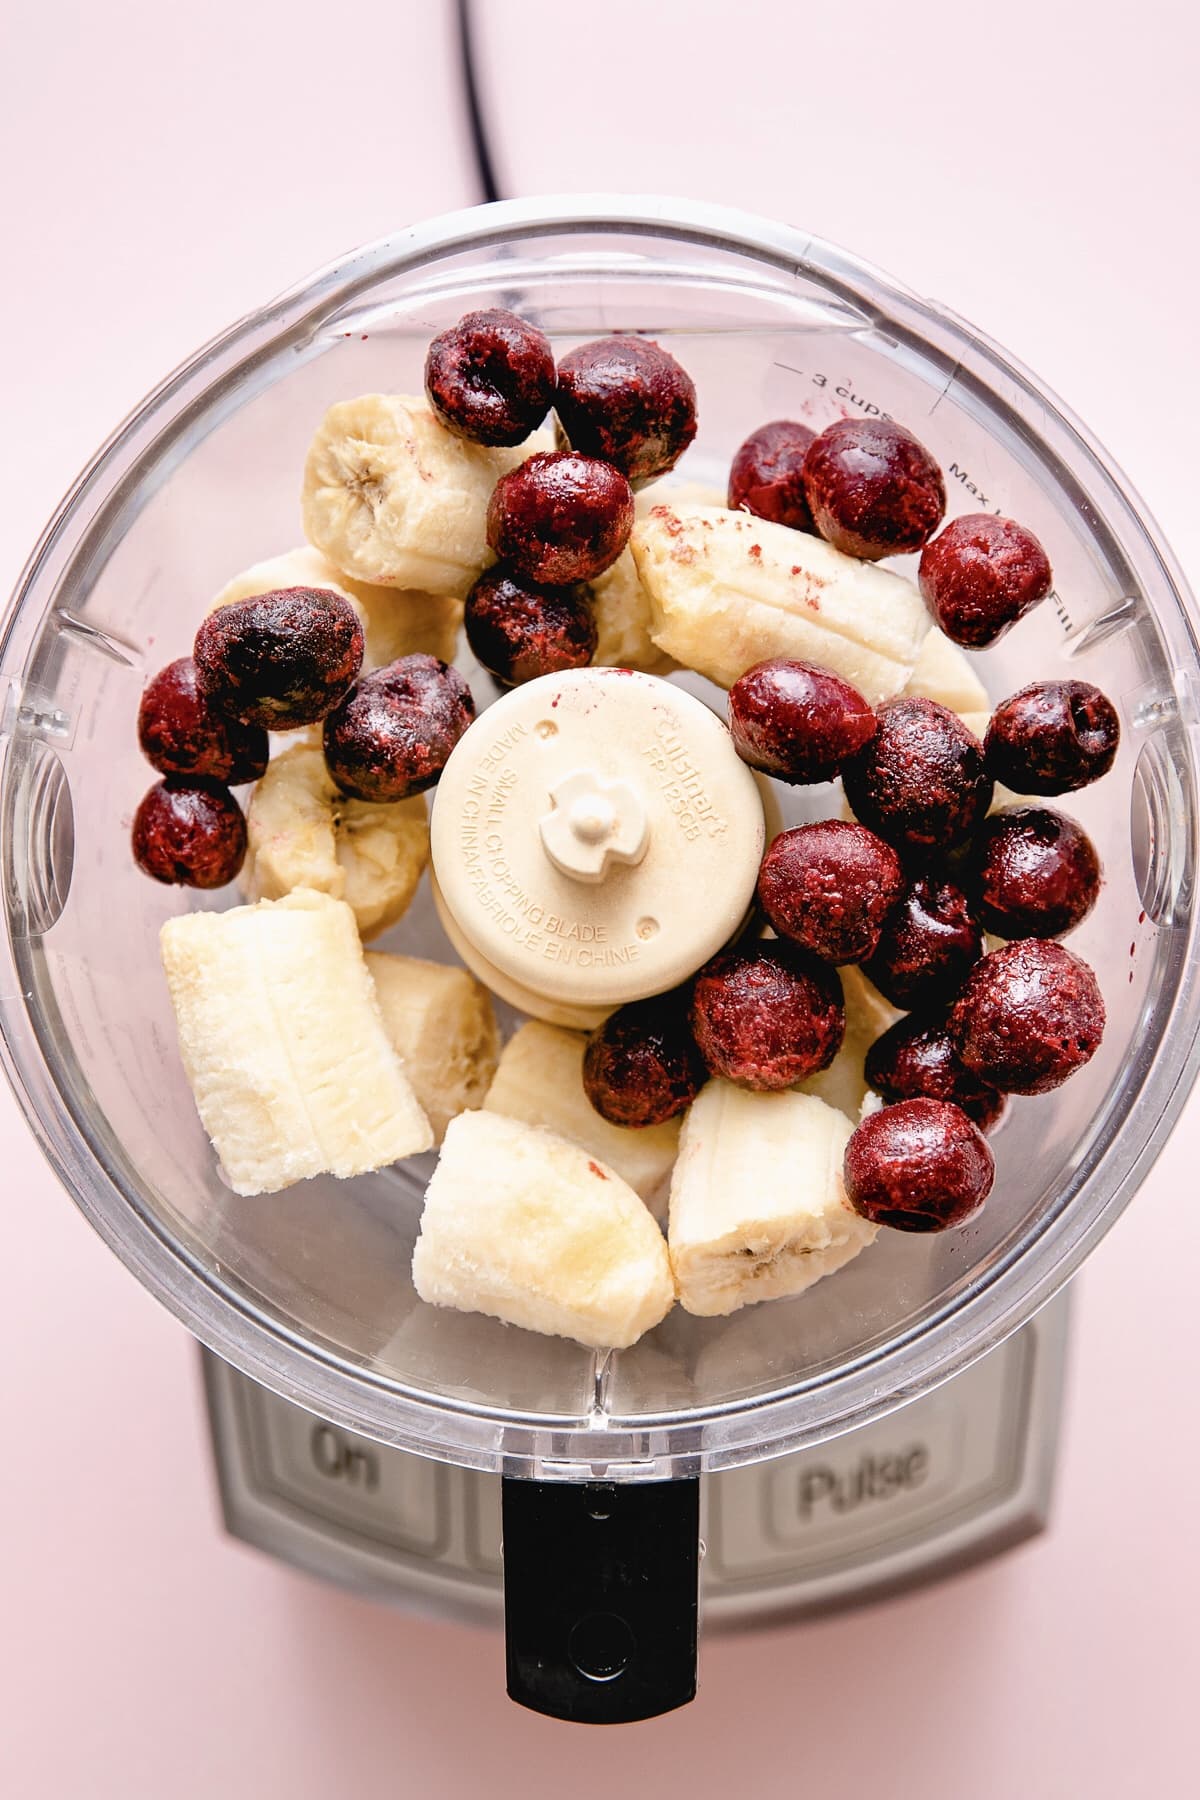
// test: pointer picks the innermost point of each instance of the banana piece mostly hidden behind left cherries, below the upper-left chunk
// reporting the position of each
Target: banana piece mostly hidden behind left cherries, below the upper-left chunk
(395, 620)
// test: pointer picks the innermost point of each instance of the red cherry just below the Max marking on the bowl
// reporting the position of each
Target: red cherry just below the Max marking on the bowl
(981, 577)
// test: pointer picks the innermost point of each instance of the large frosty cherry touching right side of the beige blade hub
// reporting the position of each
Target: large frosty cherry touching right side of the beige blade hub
(830, 888)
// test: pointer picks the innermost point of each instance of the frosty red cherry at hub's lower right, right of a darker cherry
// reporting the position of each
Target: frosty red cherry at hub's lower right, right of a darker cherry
(767, 1016)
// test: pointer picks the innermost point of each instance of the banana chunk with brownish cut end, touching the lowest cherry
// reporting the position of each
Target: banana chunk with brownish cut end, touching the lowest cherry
(758, 1207)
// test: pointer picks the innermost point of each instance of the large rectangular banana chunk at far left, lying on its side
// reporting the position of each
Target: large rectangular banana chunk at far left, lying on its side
(283, 1043)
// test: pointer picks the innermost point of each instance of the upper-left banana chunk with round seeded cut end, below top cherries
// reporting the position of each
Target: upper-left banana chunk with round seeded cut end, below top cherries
(397, 499)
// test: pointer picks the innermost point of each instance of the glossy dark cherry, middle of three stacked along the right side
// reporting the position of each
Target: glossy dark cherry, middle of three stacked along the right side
(1035, 870)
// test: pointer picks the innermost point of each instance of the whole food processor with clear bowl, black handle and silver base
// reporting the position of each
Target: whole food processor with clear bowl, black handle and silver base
(890, 1425)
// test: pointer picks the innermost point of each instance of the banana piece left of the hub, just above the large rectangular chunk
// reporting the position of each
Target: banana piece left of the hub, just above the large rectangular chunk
(305, 834)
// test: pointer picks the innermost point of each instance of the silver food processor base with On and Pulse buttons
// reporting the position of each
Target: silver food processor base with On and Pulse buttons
(951, 1479)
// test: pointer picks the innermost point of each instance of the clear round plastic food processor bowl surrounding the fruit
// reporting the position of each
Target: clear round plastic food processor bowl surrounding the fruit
(309, 1291)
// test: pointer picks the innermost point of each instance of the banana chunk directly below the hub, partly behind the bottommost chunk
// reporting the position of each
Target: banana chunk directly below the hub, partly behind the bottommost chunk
(541, 1081)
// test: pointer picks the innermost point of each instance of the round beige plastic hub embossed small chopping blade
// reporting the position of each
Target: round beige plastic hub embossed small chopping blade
(596, 838)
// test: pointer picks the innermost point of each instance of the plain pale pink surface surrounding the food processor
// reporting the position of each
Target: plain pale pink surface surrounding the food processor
(177, 166)
